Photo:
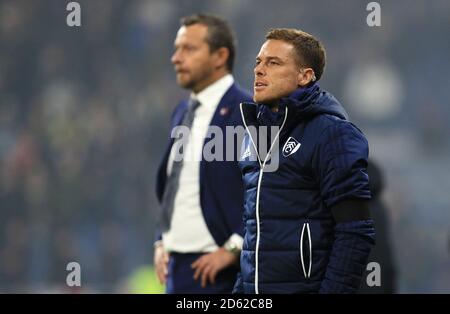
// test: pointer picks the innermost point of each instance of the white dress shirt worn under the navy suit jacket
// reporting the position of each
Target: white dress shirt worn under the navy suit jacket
(188, 232)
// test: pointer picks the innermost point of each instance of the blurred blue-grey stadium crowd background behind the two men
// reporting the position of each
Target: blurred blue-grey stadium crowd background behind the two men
(84, 117)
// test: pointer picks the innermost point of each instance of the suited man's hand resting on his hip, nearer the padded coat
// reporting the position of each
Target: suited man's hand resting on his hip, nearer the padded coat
(209, 265)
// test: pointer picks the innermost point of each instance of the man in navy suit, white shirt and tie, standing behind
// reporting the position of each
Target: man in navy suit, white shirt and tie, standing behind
(197, 249)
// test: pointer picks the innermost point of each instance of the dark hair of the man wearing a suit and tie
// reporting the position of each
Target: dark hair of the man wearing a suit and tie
(219, 33)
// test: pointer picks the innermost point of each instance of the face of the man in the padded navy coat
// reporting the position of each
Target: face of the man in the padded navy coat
(276, 72)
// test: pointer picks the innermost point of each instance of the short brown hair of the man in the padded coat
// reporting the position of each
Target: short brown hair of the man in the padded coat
(310, 51)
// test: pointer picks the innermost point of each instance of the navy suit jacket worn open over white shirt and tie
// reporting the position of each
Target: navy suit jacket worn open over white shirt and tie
(221, 188)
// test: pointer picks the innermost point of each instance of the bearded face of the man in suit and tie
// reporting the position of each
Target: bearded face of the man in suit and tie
(192, 58)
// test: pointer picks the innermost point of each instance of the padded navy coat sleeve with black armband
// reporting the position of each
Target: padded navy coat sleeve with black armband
(342, 171)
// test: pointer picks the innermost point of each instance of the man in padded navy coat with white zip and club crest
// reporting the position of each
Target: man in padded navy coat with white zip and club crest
(306, 220)
